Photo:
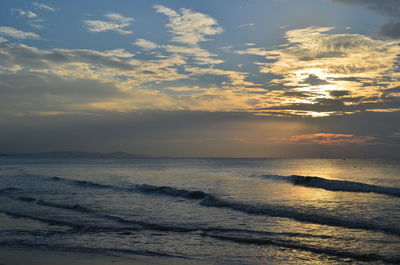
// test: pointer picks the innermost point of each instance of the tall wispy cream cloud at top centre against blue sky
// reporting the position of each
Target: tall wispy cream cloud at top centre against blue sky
(189, 27)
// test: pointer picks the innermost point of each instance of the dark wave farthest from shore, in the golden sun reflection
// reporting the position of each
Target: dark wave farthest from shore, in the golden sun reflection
(335, 185)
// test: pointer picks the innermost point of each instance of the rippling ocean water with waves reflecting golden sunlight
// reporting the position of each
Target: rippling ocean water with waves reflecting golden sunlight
(209, 211)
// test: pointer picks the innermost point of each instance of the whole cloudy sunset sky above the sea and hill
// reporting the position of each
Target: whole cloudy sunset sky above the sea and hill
(190, 78)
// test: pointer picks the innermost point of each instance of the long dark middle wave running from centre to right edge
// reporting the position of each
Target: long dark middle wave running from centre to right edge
(209, 200)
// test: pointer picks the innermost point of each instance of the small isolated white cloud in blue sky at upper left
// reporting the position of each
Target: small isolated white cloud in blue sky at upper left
(116, 23)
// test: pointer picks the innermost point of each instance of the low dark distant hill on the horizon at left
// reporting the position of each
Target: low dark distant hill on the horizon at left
(74, 154)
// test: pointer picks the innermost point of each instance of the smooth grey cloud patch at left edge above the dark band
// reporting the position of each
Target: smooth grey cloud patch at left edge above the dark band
(39, 92)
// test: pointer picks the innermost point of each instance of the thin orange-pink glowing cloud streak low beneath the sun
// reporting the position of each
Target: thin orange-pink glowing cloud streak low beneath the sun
(330, 139)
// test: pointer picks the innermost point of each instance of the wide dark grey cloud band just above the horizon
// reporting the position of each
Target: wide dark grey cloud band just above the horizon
(193, 133)
